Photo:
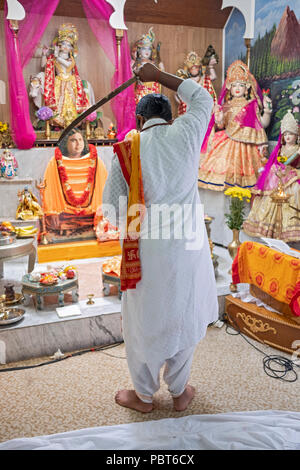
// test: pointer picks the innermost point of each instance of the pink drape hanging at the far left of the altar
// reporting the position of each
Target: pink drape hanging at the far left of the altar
(19, 50)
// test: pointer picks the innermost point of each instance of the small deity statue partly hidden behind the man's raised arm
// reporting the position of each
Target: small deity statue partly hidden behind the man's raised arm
(201, 71)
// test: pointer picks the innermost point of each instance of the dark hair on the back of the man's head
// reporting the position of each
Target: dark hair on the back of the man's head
(154, 105)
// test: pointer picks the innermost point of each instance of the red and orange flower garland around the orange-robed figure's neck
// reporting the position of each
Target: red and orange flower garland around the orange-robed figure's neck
(67, 190)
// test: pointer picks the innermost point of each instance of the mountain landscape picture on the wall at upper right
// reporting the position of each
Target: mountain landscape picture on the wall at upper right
(275, 55)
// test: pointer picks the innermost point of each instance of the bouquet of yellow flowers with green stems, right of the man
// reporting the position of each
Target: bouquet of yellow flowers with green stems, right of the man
(235, 218)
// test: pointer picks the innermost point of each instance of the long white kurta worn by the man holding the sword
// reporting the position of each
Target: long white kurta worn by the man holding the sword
(177, 298)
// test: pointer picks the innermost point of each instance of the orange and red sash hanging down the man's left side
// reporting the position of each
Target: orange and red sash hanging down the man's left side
(128, 153)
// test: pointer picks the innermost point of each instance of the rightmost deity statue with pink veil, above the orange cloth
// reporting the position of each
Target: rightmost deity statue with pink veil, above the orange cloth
(284, 161)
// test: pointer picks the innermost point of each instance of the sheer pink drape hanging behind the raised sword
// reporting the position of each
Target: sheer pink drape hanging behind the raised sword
(98, 13)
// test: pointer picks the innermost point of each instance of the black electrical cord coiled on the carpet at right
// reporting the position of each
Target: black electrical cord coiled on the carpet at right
(269, 362)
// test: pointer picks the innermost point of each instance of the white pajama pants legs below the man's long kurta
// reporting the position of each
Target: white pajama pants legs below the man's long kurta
(146, 376)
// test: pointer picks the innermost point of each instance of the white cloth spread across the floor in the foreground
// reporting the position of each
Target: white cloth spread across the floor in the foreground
(245, 430)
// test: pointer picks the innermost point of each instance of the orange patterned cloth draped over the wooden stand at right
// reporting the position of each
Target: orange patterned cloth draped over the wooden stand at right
(273, 272)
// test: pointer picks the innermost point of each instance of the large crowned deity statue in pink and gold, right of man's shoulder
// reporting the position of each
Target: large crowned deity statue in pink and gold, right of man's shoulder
(233, 154)
